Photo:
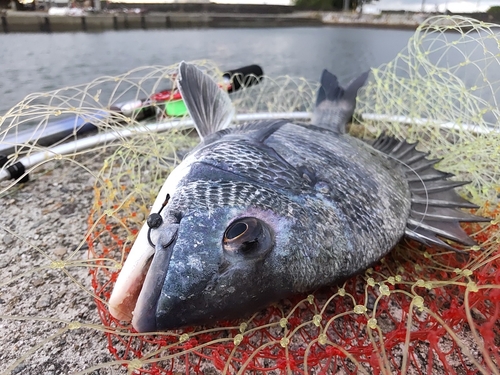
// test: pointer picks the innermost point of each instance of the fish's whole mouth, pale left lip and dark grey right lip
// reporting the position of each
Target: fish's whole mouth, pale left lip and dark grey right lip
(137, 290)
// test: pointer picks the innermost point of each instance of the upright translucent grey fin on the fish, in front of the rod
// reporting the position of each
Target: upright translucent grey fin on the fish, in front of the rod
(209, 106)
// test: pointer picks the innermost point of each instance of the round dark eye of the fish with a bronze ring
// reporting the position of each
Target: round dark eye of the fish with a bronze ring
(248, 236)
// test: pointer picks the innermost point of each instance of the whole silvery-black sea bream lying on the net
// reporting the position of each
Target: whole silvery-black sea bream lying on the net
(260, 212)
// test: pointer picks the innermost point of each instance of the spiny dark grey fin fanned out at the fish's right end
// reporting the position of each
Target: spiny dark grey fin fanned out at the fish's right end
(435, 213)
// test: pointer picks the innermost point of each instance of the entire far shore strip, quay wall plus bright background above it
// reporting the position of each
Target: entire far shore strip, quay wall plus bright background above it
(152, 14)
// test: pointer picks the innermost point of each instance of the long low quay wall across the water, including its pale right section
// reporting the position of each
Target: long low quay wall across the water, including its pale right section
(13, 22)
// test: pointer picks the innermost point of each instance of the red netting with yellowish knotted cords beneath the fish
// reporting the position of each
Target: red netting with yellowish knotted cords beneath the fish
(418, 311)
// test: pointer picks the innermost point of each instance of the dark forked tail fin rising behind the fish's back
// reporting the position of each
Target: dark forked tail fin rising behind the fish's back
(334, 104)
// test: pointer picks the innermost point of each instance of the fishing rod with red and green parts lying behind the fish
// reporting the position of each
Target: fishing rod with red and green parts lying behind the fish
(140, 109)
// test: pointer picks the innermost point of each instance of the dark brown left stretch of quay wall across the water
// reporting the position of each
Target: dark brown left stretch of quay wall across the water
(41, 21)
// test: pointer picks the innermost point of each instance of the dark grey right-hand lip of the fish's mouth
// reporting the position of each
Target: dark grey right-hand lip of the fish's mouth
(144, 314)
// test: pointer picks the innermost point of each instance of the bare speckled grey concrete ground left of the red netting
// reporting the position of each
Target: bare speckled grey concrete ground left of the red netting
(38, 301)
